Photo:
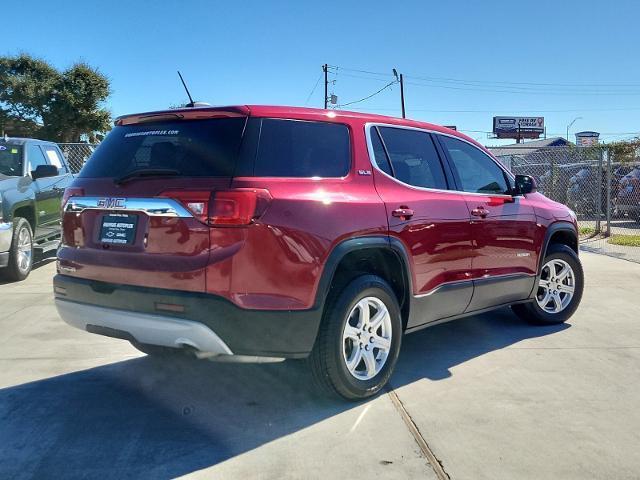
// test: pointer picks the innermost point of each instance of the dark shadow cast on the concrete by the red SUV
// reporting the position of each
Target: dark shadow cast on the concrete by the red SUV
(162, 418)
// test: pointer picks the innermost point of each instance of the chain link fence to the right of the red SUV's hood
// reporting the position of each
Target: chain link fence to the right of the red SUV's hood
(601, 184)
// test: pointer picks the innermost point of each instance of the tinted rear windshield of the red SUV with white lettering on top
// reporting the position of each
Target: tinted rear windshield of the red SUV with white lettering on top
(198, 148)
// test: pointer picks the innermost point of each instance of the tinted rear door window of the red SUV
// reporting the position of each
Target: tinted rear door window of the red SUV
(414, 158)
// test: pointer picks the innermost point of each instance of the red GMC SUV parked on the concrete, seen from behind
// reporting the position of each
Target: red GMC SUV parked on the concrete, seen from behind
(281, 232)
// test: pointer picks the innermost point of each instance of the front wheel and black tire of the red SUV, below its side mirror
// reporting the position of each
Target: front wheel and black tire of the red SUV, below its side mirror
(533, 312)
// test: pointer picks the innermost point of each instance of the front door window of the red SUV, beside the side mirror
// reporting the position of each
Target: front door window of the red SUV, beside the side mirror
(478, 173)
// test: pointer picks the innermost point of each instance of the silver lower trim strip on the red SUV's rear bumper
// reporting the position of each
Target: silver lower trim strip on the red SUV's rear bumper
(144, 327)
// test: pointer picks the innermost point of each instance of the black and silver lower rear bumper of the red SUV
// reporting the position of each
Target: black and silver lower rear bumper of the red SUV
(209, 323)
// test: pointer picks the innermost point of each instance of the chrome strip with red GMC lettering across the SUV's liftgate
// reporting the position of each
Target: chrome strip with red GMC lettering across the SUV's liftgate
(154, 207)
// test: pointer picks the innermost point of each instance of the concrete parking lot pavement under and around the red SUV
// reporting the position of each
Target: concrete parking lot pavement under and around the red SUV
(488, 396)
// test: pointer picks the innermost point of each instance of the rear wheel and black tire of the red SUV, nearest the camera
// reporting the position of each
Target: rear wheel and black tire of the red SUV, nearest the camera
(371, 371)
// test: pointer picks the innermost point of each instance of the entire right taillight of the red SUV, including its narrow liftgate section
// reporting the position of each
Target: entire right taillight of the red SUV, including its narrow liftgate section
(223, 208)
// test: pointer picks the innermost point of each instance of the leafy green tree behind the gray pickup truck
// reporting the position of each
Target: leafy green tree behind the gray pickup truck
(63, 106)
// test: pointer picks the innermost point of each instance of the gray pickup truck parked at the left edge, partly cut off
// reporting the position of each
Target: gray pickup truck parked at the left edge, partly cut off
(33, 176)
